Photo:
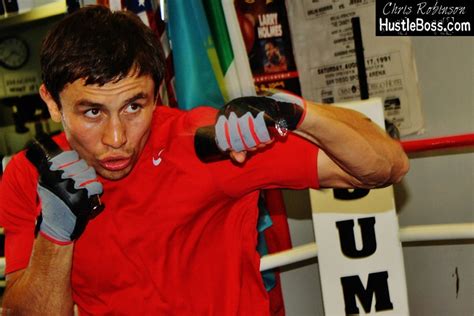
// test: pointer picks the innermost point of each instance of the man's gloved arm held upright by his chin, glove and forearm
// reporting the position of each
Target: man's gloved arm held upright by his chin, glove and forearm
(68, 191)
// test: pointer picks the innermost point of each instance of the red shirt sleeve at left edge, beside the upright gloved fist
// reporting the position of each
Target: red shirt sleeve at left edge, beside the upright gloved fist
(18, 211)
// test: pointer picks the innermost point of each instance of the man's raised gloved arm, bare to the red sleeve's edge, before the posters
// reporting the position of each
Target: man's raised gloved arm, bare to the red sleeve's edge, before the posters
(355, 152)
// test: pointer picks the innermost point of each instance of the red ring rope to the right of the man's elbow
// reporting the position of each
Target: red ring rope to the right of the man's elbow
(463, 140)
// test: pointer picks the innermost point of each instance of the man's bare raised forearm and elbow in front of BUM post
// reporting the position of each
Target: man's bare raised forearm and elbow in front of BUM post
(355, 144)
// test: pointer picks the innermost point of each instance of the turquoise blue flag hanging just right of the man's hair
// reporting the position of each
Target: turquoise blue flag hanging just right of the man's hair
(199, 78)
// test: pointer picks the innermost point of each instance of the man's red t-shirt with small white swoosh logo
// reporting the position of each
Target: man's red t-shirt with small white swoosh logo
(177, 236)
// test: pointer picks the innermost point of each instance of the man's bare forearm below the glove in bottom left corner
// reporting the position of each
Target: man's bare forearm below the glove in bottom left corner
(44, 287)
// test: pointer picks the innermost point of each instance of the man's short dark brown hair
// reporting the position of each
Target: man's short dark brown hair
(99, 46)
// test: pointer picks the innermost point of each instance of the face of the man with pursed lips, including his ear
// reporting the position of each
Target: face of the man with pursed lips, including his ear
(107, 125)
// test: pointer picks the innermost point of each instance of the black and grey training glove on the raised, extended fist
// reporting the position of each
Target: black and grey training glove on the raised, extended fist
(246, 122)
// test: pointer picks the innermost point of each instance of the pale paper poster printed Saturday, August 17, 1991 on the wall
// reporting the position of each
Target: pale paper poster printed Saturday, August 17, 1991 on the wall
(325, 57)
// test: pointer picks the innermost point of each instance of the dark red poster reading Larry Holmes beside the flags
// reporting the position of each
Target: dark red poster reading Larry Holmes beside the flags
(266, 34)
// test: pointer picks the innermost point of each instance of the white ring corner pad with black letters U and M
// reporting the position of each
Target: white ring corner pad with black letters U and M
(359, 252)
